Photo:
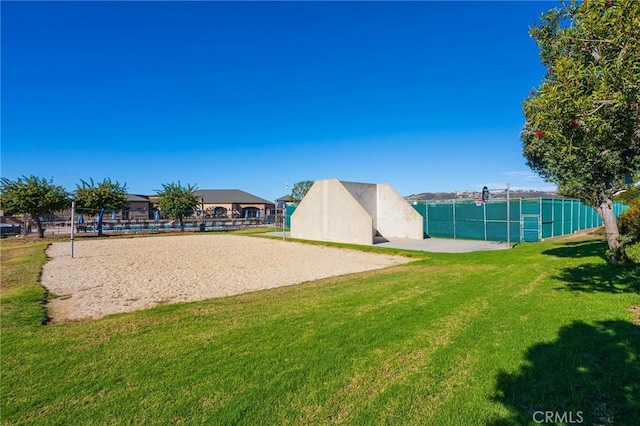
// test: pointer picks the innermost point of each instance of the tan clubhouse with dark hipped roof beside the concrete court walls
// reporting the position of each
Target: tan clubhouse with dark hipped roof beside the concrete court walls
(230, 203)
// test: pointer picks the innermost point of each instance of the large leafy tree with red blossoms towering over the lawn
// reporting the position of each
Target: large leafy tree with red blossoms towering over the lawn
(582, 128)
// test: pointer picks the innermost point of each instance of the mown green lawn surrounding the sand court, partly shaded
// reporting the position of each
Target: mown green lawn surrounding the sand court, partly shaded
(449, 339)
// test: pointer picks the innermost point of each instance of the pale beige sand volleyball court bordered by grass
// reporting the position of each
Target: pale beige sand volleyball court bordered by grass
(122, 275)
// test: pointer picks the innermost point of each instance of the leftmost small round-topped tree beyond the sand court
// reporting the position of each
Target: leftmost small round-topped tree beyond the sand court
(32, 196)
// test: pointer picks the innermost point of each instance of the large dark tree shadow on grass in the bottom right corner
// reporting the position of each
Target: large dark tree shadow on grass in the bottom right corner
(590, 373)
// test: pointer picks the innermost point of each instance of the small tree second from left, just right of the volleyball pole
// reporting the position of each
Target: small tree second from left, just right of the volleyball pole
(107, 195)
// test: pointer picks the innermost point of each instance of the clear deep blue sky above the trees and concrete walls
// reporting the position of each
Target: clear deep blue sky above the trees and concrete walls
(425, 96)
